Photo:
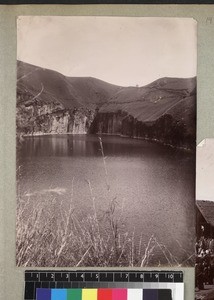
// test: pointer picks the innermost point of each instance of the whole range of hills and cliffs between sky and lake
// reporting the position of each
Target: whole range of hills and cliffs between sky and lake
(48, 102)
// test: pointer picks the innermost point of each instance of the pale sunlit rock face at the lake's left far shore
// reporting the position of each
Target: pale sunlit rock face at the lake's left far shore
(53, 118)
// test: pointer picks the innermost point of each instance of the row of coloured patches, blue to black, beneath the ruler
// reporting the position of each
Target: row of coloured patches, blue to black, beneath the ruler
(103, 294)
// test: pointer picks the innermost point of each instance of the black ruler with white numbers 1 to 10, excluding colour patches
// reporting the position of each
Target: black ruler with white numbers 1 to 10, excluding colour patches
(35, 280)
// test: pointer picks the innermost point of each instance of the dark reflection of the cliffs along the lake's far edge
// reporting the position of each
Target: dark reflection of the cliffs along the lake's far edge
(83, 145)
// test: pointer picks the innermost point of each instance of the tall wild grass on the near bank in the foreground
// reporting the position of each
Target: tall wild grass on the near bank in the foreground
(51, 233)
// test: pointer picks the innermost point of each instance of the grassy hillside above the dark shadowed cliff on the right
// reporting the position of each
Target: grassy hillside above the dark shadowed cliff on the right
(166, 95)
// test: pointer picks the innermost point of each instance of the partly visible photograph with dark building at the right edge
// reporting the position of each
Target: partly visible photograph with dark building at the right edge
(204, 265)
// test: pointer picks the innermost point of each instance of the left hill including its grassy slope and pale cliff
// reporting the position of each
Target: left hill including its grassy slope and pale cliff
(49, 102)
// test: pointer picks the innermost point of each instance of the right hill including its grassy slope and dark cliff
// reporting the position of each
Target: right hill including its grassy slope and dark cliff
(163, 110)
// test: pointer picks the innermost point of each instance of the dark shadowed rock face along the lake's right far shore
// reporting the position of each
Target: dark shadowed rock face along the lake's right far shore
(165, 130)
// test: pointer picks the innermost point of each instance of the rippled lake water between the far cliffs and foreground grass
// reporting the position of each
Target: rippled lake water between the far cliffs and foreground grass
(153, 183)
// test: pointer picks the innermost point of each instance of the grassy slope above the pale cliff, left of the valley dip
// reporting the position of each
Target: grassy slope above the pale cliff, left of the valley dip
(70, 92)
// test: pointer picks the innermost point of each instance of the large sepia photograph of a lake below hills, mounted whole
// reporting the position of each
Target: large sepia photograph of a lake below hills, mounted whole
(105, 141)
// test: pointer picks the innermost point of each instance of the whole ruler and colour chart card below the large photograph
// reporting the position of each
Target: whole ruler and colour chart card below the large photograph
(103, 285)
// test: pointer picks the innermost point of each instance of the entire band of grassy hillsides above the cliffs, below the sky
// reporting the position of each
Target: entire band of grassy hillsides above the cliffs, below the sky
(175, 96)
